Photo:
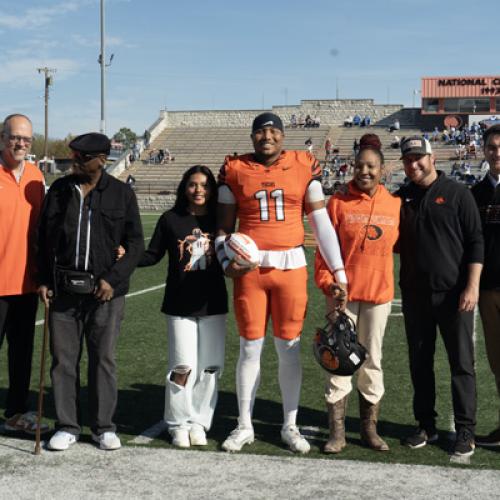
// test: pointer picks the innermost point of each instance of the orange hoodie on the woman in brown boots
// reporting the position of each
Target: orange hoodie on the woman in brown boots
(367, 229)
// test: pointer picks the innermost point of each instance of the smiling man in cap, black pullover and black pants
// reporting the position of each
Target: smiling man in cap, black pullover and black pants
(441, 248)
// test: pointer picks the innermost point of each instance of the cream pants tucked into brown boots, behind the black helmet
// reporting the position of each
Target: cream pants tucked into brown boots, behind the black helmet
(370, 320)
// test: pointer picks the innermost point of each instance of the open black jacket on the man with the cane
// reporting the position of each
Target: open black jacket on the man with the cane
(115, 221)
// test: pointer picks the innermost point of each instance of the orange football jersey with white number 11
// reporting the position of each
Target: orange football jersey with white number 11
(270, 200)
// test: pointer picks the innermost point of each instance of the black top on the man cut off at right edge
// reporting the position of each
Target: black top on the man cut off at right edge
(488, 200)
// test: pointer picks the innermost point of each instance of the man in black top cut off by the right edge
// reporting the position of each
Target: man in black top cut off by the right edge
(487, 195)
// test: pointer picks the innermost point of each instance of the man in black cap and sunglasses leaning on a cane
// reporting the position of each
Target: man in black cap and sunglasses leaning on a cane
(86, 216)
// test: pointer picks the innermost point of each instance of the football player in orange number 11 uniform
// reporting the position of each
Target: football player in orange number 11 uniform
(268, 191)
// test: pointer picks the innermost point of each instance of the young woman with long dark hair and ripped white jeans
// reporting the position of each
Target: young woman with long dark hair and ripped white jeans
(195, 303)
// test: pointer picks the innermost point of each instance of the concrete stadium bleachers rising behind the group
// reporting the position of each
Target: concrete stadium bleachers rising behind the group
(209, 146)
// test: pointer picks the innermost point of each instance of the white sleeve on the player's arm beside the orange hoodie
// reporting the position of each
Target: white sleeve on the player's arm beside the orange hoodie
(325, 234)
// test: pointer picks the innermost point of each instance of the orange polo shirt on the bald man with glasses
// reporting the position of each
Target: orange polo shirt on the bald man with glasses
(20, 206)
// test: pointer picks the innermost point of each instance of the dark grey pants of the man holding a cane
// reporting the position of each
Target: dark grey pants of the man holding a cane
(74, 318)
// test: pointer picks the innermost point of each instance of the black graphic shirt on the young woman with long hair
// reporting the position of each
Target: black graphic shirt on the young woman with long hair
(195, 282)
